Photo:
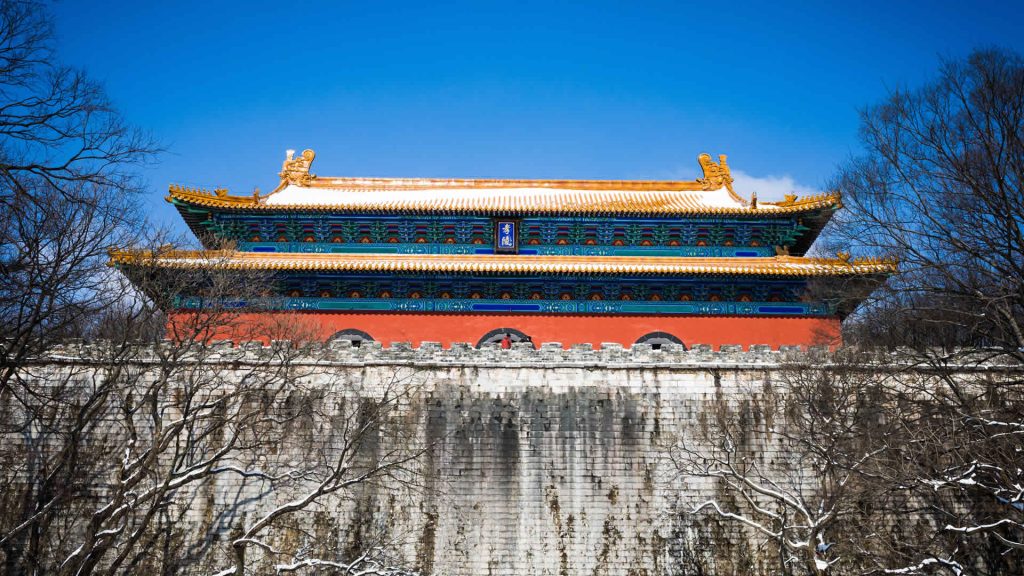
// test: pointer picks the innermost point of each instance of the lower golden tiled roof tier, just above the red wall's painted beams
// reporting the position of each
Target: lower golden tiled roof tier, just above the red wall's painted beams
(508, 264)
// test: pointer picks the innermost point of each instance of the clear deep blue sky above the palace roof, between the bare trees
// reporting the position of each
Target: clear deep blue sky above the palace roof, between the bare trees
(515, 90)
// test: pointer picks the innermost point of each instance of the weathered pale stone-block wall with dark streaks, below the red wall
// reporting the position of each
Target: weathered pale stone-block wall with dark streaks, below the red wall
(540, 463)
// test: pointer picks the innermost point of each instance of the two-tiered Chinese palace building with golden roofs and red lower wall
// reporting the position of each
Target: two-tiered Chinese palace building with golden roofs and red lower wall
(570, 262)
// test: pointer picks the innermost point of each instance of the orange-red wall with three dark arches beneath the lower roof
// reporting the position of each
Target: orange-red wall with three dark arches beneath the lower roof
(446, 328)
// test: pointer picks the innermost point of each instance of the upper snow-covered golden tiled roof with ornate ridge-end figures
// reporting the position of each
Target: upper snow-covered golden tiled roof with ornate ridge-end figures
(711, 195)
